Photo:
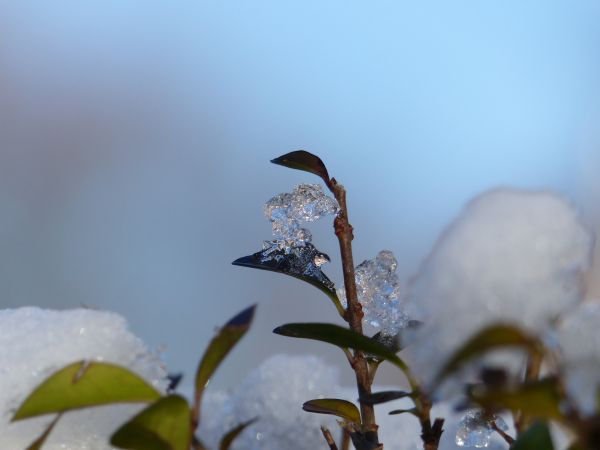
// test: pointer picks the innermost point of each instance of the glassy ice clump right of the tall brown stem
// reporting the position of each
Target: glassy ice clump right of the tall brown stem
(378, 290)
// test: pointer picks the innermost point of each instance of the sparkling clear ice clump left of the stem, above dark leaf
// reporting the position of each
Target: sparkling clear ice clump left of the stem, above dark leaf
(306, 203)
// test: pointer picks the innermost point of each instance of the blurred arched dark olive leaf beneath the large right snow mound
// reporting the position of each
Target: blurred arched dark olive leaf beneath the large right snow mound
(490, 338)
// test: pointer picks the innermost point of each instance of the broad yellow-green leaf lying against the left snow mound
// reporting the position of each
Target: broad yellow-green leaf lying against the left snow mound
(84, 384)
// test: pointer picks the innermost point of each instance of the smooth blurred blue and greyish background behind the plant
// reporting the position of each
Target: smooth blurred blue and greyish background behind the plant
(135, 139)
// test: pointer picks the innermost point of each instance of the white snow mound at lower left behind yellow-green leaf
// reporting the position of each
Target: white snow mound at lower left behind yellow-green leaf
(37, 342)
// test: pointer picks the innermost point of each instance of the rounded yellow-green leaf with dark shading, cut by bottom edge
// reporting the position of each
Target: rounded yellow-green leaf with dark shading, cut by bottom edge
(164, 425)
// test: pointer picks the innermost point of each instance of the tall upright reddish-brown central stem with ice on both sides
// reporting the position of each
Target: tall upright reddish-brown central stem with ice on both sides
(354, 313)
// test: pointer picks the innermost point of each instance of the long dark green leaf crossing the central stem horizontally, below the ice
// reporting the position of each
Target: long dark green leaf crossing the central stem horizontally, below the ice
(341, 337)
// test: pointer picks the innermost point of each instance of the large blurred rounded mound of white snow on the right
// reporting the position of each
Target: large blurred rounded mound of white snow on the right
(512, 256)
